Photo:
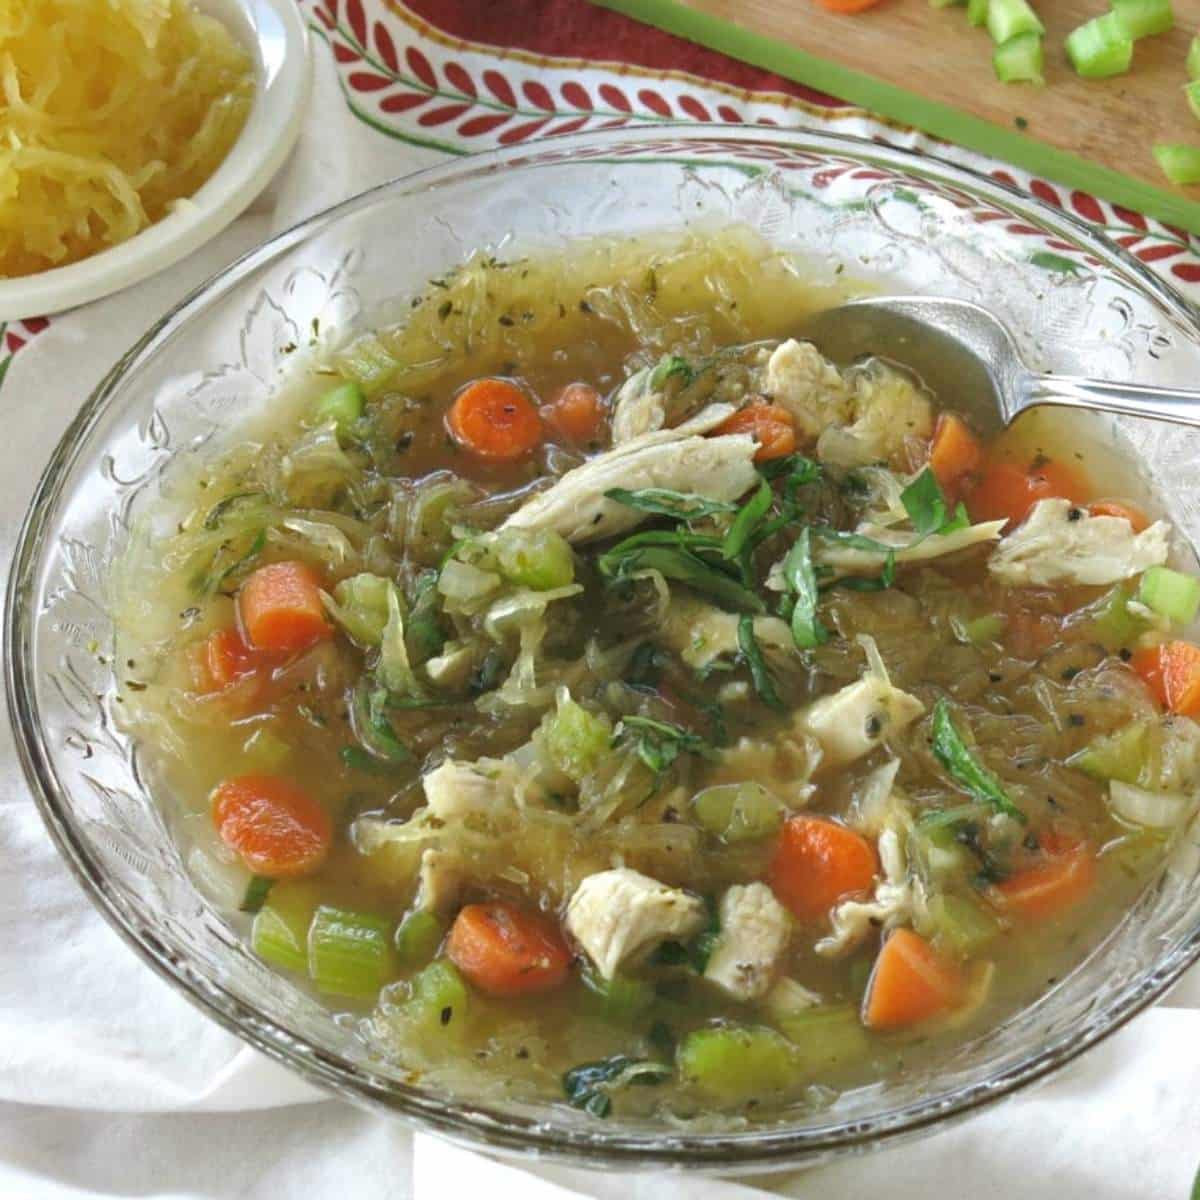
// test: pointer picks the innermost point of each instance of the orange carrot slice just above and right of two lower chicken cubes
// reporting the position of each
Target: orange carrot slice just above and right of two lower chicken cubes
(818, 862)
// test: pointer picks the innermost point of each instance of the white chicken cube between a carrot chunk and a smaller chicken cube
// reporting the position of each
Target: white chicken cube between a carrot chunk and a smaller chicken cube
(620, 916)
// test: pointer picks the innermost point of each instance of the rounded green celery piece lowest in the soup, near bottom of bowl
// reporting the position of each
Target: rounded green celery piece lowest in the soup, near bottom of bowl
(735, 1064)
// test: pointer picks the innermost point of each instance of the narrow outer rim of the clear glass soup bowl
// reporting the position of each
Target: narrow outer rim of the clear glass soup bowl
(491, 1127)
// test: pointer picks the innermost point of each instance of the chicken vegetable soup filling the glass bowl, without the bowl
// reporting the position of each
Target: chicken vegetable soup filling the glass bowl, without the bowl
(598, 694)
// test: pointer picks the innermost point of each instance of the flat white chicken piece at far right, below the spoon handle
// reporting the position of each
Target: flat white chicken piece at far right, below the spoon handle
(1061, 544)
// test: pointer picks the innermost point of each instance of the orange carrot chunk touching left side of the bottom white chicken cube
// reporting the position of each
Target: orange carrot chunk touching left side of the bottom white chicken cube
(507, 951)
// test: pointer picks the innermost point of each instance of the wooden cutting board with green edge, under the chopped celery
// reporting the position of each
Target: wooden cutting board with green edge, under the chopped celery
(929, 69)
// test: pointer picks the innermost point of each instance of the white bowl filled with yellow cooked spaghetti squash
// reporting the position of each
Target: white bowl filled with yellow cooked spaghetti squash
(131, 133)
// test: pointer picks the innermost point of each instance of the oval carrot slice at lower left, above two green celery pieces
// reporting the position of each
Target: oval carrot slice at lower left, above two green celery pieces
(275, 827)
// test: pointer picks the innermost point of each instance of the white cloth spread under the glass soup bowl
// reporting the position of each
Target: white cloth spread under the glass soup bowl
(112, 1085)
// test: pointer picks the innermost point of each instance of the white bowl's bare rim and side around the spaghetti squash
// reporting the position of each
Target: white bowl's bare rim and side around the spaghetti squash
(275, 34)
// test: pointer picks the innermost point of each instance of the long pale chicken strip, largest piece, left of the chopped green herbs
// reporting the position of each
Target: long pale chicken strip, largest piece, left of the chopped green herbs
(719, 469)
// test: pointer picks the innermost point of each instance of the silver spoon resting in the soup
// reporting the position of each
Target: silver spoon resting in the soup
(962, 351)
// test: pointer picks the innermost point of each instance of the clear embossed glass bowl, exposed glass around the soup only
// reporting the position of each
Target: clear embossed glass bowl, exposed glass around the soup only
(892, 219)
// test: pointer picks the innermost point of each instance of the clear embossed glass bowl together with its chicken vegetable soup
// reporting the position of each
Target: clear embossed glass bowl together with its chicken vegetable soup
(491, 781)
